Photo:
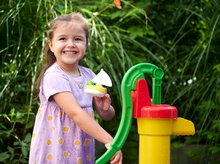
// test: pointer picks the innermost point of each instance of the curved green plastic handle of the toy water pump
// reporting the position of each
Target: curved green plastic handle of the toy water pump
(128, 83)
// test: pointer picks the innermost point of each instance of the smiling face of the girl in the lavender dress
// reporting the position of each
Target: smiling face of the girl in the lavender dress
(68, 45)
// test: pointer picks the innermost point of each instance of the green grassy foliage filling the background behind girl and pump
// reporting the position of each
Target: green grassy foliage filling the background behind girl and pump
(181, 37)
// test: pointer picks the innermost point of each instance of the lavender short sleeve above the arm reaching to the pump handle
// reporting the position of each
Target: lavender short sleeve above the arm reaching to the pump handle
(55, 82)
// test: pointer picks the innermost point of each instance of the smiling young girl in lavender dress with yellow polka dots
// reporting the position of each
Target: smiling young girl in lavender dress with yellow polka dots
(65, 128)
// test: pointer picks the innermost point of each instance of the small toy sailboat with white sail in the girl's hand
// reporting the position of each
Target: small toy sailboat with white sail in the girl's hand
(95, 88)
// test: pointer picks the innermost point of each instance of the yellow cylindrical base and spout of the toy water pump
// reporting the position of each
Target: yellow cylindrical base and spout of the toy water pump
(154, 138)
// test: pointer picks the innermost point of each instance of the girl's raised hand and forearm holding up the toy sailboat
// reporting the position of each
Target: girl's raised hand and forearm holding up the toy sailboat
(103, 107)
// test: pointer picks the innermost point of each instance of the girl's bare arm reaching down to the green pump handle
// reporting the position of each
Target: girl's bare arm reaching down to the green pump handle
(69, 105)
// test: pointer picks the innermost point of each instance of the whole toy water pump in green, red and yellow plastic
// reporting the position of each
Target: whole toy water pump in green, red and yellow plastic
(156, 122)
